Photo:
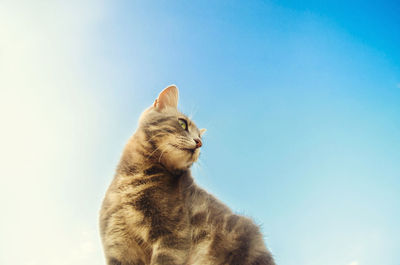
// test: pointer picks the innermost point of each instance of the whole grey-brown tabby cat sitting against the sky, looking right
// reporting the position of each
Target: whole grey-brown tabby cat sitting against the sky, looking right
(154, 213)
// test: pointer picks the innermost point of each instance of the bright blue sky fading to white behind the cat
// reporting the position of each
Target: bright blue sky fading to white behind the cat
(301, 100)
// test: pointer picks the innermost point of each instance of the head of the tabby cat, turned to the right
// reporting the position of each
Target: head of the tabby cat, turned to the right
(171, 137)
